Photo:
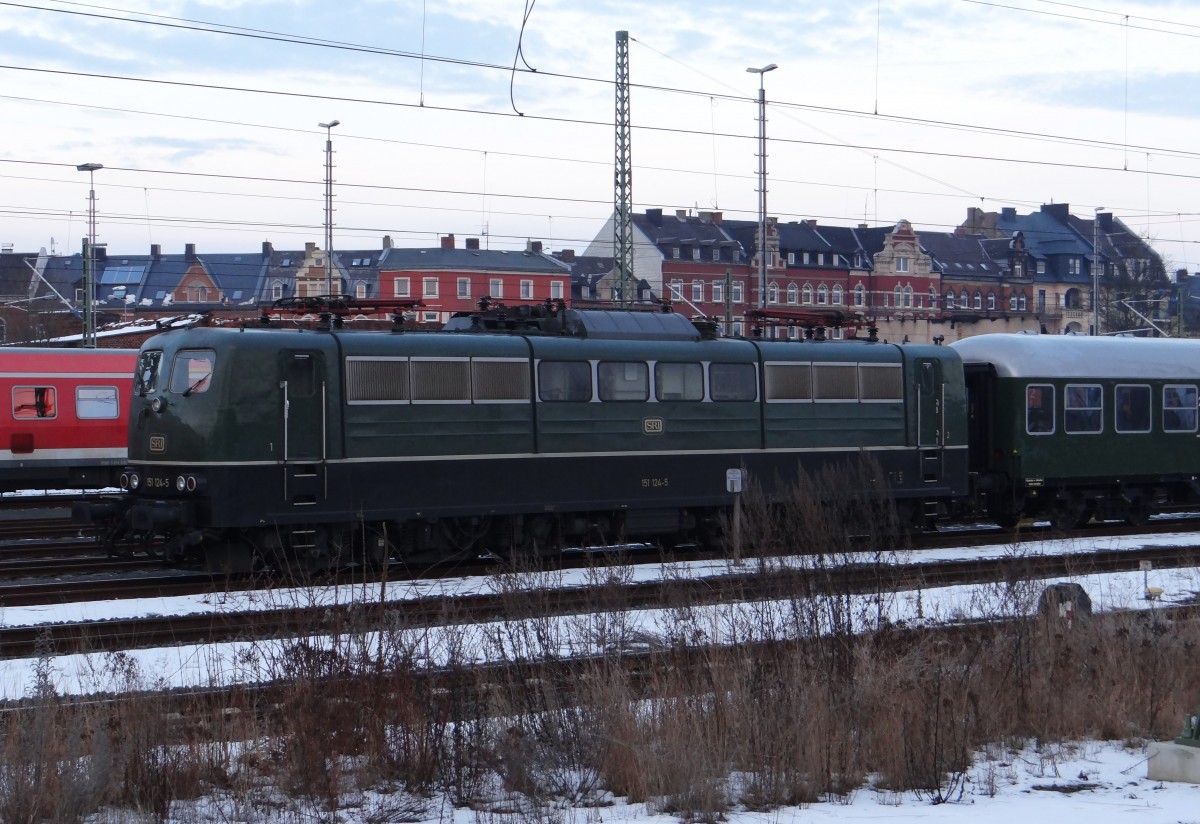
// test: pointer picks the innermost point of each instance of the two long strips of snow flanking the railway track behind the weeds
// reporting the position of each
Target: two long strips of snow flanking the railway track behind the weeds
(227, 664)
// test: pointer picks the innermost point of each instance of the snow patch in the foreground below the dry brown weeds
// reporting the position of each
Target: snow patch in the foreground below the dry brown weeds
(1094, 783)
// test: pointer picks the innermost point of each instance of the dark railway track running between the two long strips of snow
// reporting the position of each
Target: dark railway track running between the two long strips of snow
(217, 627)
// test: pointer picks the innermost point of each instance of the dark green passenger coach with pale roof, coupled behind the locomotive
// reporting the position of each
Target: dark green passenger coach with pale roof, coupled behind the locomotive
(1070, 429)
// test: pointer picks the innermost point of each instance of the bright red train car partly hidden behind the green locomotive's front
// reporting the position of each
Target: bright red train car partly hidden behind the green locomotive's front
(67, 424)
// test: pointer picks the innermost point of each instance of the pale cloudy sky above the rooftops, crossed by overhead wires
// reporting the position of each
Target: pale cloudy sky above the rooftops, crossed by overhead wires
(880, 111)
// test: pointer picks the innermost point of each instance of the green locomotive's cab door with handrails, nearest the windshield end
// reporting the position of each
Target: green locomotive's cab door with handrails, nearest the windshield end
(305, 449)
